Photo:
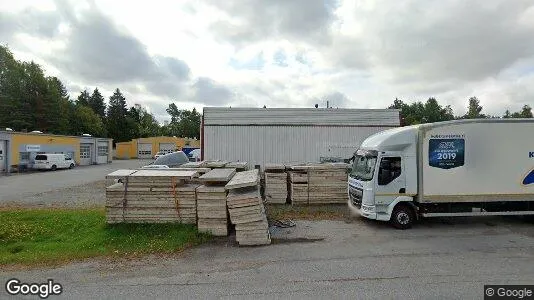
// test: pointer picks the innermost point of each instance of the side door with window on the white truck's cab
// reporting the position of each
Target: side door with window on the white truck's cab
(391, 180)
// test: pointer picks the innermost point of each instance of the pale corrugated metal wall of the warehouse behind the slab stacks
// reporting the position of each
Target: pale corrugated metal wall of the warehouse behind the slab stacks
(283, 144)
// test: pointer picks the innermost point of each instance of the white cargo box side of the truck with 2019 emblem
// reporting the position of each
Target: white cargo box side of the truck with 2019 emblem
(491, 161)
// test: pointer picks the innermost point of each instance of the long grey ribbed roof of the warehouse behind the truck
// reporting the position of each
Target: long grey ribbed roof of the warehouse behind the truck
(301, 116)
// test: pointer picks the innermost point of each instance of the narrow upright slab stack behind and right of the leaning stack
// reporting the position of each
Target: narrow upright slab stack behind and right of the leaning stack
(275, 184)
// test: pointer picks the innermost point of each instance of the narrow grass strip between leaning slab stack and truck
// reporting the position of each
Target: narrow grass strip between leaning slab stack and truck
(319, 212)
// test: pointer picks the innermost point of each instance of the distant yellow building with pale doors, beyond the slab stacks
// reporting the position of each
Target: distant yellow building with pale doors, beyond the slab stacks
(148, 147)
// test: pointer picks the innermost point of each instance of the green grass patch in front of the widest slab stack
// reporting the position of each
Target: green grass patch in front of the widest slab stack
(49, 236)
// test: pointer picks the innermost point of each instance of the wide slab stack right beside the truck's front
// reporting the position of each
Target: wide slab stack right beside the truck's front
(318, 184)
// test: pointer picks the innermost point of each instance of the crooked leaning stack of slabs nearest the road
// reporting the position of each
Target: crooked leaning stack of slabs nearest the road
(246, 209)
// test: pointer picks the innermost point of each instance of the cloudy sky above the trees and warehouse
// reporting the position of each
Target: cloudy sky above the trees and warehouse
(282, 53)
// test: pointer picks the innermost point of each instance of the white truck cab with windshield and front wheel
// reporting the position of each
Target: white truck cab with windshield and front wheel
(382, 183)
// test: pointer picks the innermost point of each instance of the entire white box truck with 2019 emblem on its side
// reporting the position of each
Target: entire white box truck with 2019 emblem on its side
(456, 168)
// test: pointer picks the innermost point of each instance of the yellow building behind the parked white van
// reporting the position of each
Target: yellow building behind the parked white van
(18, 149)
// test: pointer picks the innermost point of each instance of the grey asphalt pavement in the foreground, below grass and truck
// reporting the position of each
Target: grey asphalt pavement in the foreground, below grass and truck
(437, 259)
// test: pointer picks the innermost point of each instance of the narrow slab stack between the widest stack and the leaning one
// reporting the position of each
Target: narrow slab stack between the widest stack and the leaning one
(211, 202)
